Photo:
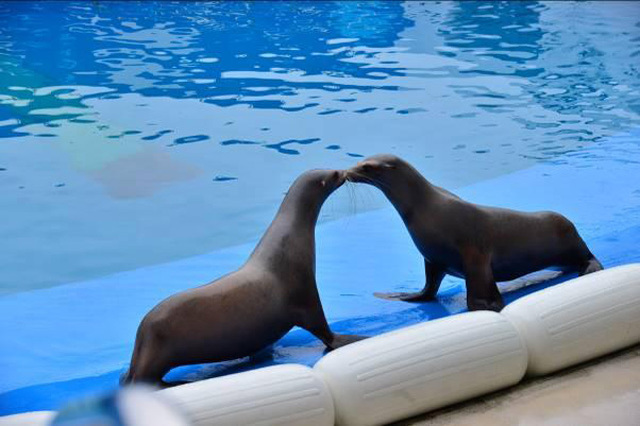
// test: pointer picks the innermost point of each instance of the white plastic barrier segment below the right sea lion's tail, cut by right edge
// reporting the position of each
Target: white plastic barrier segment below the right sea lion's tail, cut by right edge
(579, 319)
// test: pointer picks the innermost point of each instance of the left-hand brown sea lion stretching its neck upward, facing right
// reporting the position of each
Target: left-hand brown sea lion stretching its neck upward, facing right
(249, 309)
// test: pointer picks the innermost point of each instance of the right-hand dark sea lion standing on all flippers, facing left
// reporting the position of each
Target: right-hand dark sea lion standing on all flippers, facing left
(478, 243)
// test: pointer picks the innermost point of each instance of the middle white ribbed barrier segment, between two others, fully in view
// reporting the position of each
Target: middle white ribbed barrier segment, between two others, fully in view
(423, 367)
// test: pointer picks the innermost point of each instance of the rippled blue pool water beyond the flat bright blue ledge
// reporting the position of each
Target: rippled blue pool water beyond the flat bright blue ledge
(133, 134)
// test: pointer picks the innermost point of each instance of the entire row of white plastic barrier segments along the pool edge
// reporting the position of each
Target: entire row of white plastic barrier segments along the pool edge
(426, 366)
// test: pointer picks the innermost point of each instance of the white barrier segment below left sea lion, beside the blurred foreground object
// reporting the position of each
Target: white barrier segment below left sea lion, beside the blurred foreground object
(279, 395)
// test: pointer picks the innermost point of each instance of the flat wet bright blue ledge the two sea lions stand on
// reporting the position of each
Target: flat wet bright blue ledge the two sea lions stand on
(64, 342)
